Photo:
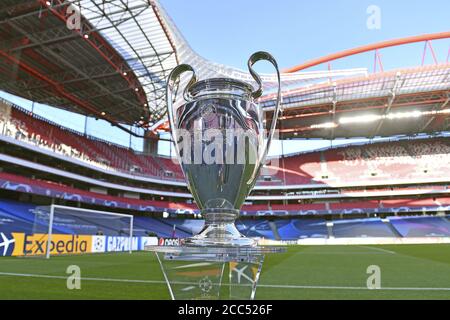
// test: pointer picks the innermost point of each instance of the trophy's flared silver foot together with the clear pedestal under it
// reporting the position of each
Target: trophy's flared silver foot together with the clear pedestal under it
(195, 270)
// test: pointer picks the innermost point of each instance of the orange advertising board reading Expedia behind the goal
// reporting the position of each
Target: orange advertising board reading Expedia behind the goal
(36, 244)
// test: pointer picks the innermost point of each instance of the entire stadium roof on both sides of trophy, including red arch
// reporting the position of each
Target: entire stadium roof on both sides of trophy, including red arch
(114, 66)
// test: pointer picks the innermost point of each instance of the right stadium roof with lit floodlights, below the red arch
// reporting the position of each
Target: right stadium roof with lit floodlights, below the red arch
(379, 104)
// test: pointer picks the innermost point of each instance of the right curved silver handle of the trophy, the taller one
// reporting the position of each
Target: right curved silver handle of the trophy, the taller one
(257, 56)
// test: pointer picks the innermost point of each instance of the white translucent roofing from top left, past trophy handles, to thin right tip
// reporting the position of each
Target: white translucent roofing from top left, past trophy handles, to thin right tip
(145, 35)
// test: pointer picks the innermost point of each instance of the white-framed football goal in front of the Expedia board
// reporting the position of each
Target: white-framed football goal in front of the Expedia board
(53, 222)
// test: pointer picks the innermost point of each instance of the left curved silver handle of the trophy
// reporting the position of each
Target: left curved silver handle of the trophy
(173, 76)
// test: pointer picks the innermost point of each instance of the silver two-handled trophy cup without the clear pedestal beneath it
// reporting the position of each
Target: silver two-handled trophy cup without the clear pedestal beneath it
(219, 137)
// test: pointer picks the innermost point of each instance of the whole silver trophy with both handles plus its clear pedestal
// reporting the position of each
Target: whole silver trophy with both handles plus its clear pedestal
(219, 140)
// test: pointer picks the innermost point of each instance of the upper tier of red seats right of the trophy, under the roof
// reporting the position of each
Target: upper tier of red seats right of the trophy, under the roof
(411, 159)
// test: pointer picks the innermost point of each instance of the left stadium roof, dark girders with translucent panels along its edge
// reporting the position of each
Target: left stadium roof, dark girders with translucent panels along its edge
(112, 65)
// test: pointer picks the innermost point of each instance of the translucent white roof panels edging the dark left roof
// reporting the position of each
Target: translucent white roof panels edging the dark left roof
(135, 29)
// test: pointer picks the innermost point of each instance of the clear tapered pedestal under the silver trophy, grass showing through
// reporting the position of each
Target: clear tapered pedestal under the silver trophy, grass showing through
(211, 273)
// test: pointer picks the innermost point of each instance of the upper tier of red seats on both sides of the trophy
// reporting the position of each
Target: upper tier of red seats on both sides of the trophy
(425, 159)
